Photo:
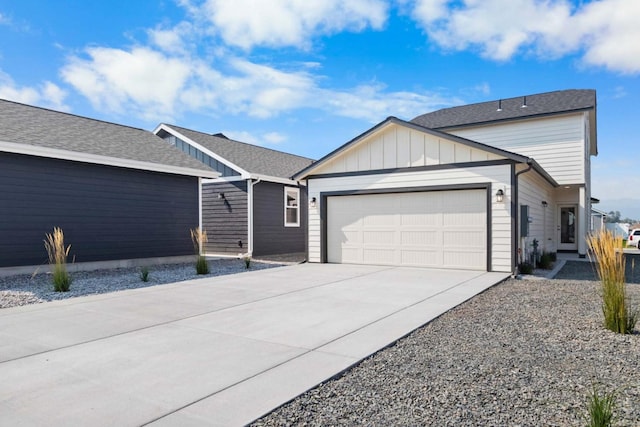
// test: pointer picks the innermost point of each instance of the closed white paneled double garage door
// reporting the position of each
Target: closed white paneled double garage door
(442, 229)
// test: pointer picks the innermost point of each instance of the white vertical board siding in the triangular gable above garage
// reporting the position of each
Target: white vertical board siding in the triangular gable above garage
(400, 147)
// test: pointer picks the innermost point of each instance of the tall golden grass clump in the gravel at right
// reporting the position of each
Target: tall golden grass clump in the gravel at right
(606, 251)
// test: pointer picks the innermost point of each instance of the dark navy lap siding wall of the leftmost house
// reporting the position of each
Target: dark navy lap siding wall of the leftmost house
(106, 213)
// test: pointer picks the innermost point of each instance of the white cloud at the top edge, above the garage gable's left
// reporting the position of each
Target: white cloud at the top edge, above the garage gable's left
(247, 23)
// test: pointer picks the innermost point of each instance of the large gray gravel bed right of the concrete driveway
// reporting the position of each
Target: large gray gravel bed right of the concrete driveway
(523, 353)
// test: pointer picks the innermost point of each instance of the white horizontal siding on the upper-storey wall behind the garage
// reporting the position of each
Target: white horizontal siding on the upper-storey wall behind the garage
(556, 143)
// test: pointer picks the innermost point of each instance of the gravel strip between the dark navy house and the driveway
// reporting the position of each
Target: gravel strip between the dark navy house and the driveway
(28, 289)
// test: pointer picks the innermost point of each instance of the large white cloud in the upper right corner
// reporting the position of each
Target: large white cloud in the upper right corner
(603, 31)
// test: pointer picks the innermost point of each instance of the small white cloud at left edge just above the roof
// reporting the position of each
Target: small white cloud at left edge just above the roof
(45, 95)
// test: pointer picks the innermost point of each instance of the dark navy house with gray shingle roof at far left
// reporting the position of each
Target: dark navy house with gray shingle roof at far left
(117, 192)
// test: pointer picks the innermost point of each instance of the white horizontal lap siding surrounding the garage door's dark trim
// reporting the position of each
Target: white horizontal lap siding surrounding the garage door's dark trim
(499, 176)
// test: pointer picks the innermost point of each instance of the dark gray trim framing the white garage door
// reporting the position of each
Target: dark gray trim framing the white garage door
(476, 186)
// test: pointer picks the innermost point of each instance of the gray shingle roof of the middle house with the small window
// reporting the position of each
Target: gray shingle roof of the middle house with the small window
(251, 158)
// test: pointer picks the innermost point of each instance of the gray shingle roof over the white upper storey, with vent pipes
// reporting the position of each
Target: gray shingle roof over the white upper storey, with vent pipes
(486, 112)
